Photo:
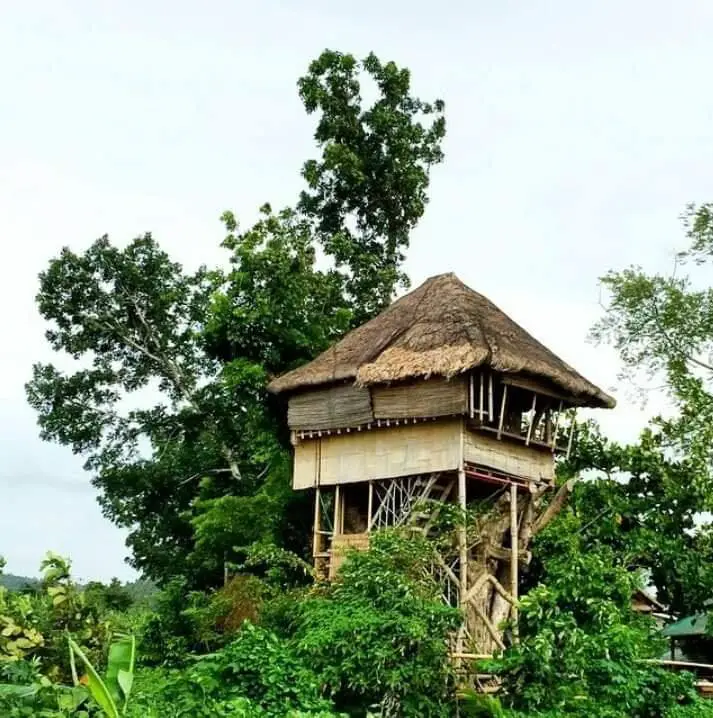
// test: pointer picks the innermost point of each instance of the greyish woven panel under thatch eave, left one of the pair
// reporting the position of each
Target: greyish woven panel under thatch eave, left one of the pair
(338, 407)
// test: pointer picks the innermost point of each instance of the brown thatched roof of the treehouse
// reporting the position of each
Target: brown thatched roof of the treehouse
(442, 328)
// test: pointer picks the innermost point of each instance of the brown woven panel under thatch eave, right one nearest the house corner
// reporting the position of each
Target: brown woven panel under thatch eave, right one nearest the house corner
(420, 399)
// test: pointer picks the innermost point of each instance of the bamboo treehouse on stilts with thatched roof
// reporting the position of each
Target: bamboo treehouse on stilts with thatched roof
(440, 398)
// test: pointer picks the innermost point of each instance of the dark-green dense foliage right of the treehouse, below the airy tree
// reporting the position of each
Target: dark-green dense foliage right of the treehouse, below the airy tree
(644, 503)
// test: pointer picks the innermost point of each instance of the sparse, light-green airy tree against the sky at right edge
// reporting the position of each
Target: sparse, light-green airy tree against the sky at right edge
(662, 327)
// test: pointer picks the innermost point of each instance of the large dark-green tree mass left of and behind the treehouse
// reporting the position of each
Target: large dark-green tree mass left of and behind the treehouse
(166, 397)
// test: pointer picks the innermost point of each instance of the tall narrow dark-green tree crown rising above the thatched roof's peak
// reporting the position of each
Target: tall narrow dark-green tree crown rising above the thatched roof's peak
(373, 170)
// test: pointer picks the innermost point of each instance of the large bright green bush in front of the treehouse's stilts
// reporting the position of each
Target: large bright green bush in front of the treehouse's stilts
(378, 635)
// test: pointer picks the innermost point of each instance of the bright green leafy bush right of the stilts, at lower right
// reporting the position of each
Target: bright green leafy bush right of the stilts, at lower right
(582, 649)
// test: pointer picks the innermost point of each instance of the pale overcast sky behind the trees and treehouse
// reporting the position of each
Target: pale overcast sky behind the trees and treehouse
(577, 132)
